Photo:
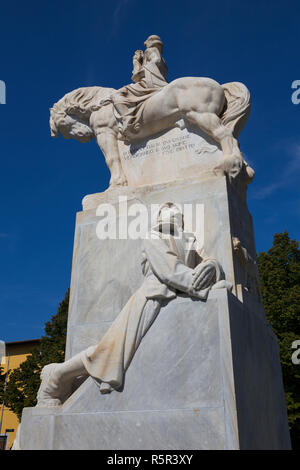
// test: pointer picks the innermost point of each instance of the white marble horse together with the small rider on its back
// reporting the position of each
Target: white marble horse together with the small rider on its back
(150, 105)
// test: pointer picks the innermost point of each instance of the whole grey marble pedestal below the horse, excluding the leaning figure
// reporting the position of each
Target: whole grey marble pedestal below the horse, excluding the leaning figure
(207, 375)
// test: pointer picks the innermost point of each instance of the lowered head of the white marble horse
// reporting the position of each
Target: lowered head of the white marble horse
(69, 126)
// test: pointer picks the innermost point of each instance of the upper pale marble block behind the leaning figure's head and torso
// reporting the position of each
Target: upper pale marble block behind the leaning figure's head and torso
(106, 272)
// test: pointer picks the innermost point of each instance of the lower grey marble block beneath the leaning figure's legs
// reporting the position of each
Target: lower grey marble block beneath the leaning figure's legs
(206, 376)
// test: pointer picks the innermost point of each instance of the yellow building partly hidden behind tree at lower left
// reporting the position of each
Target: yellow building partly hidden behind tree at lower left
(16, 353)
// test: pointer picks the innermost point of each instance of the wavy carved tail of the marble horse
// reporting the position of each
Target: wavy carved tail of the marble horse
(237, 106)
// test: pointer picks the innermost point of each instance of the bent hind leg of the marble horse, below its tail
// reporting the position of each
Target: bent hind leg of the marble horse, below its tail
(210, 123)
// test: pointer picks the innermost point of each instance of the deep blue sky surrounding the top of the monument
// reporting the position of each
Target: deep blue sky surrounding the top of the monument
(50, 48)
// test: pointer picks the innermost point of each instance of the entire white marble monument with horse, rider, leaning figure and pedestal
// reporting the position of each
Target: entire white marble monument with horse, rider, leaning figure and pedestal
(168, 346)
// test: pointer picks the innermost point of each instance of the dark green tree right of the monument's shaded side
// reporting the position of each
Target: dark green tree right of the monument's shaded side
(279, 270)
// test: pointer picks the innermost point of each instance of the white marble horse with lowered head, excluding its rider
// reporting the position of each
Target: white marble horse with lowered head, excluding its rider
(219, 110)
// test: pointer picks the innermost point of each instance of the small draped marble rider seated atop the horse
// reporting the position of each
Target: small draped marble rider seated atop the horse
(149, 77)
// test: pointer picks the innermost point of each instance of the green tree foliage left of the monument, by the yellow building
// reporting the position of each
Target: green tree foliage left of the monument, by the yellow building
(24, 381)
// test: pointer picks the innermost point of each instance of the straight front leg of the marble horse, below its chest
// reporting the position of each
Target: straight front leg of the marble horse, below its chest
(107, 141)
